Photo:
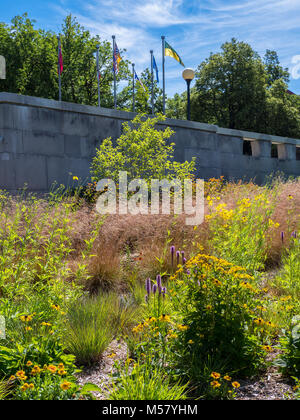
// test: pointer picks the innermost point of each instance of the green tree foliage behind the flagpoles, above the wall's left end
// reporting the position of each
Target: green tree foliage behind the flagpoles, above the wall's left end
(31, 57)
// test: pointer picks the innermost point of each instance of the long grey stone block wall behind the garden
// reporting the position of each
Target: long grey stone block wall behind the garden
(43, 141)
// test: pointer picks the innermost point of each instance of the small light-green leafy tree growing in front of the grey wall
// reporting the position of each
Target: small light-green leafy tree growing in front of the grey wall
(143, 151)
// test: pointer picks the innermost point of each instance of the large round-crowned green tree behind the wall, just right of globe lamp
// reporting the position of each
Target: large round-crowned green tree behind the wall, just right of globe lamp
(230, 88)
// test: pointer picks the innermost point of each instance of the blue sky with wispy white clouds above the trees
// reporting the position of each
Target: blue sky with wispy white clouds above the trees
(194, 28)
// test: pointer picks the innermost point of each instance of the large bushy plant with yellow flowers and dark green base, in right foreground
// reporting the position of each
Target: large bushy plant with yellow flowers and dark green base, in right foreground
(220, 307)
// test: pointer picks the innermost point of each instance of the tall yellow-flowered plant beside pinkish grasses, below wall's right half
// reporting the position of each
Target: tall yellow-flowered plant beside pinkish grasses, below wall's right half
(240, 235)
